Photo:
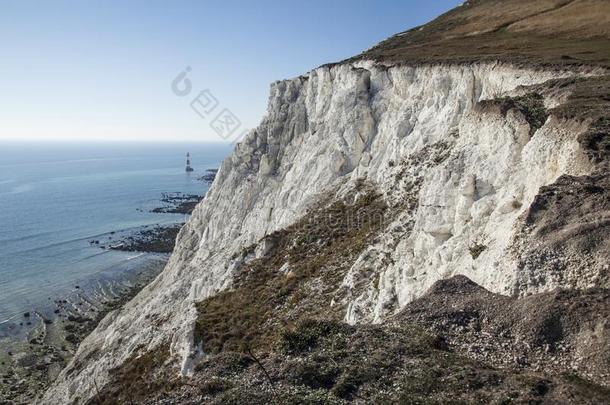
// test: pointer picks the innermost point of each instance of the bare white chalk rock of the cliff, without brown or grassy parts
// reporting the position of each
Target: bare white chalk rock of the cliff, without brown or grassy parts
(322, 132)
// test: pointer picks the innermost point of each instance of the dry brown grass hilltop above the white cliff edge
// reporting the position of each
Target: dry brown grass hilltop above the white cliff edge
(549, 32)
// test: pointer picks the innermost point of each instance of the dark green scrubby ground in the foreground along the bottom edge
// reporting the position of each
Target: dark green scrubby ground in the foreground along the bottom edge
(329, 362)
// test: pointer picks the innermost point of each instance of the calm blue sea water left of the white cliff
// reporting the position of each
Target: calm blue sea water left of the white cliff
(55, 198)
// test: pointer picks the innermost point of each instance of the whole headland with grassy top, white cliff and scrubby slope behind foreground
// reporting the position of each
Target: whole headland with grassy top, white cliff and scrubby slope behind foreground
(476, 145)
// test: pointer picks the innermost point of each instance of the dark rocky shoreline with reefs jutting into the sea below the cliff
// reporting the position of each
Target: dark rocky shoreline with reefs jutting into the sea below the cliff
(38, 344)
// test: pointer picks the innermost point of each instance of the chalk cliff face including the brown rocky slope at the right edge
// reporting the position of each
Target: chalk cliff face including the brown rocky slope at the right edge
(466, 156)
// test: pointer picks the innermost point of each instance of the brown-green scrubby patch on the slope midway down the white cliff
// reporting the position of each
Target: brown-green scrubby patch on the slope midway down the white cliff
(320, 247)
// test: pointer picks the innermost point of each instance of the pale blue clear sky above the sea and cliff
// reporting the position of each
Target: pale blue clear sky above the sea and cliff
(103, 70)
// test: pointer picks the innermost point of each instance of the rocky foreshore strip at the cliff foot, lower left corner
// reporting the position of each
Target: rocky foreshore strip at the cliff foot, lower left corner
(37, 345)
